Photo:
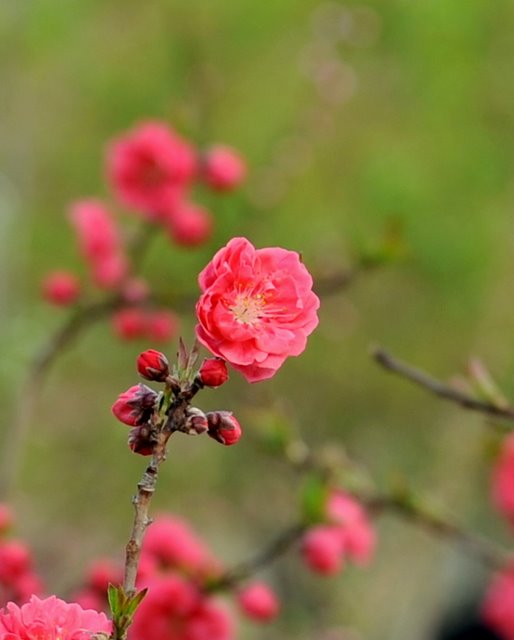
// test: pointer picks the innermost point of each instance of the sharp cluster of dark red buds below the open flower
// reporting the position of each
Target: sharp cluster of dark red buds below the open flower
(154, 416)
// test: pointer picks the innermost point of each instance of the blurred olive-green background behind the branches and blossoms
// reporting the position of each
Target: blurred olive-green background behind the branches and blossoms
(355, 118)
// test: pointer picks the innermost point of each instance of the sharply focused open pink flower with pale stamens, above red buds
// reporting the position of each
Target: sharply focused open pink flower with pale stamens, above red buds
(257, 307)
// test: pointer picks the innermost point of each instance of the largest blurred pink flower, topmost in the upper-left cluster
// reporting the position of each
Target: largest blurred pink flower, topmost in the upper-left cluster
(150, 167)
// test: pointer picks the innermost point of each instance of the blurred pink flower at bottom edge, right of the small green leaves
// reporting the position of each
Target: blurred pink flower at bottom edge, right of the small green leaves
(174, 609)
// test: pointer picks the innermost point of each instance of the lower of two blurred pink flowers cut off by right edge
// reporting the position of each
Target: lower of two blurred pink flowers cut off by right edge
(498, 605)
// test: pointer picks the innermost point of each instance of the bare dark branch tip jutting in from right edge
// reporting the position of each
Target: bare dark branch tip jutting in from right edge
(440, 389)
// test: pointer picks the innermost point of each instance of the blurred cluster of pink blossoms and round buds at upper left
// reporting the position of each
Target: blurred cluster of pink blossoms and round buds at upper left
(151, 171)
